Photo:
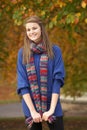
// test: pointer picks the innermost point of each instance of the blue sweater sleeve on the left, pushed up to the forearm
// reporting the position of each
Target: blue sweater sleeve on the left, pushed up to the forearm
(22, 80)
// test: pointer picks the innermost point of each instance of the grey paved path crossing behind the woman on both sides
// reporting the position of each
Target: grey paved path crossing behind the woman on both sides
(69, 108)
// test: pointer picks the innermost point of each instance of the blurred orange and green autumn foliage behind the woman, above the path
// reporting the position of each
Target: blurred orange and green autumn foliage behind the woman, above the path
(66, 24)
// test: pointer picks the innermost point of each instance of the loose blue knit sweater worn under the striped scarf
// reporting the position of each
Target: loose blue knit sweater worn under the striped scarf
(55, 81)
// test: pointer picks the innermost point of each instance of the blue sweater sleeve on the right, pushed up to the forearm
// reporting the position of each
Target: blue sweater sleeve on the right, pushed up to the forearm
(59, 70)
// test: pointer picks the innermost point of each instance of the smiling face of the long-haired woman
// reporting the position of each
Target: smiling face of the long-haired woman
(33, 32)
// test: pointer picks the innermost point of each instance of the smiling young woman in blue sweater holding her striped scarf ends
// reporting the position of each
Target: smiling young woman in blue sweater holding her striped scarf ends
(40, 71)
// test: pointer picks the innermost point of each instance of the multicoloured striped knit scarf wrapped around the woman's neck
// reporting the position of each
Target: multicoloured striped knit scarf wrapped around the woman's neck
(39, 94)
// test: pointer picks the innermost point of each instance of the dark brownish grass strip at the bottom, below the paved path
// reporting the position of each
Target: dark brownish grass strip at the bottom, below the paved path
(70, 123)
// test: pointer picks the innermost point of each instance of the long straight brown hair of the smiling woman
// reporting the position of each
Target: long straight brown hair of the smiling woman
(46, 42)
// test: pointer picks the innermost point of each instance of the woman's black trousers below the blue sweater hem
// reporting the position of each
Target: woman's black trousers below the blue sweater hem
(57, 125)
